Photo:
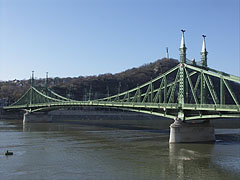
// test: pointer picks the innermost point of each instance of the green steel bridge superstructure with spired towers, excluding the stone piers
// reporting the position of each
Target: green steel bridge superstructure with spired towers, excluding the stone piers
(189, 91)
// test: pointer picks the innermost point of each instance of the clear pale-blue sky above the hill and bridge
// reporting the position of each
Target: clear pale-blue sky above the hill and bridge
(70, 38)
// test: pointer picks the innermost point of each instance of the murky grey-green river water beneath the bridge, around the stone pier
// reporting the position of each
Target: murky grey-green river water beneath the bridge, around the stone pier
(73, 151)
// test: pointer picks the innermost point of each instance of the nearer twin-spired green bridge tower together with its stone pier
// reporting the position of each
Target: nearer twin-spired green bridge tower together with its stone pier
(180, 131)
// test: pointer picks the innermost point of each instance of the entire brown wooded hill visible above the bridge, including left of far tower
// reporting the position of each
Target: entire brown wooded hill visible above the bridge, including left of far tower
(91, 87)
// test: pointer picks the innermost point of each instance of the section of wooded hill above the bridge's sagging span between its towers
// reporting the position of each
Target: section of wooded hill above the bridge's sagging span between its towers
(93, 87)
